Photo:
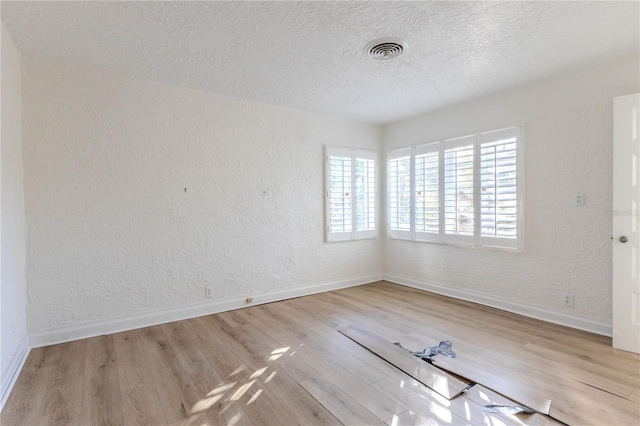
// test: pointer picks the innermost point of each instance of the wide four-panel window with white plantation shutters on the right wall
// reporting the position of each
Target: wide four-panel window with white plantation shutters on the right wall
(458, 191)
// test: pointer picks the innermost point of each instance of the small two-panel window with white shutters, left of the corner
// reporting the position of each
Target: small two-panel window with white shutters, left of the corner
(350, 194)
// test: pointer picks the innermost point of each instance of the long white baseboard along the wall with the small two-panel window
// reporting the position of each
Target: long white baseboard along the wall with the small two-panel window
(83, 331)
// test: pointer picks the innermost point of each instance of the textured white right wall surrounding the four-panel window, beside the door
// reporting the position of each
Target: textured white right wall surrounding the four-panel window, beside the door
(568, 147)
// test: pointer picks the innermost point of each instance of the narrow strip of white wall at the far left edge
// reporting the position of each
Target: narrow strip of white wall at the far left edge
(14, 343)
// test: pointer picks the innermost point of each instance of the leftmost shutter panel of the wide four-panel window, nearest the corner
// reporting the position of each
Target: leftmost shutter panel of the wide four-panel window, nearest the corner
(399, 192)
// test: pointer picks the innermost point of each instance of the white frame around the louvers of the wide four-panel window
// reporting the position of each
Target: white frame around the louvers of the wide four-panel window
(477, 141)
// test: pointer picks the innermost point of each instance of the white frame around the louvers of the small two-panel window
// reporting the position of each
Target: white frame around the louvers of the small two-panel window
(354, 233)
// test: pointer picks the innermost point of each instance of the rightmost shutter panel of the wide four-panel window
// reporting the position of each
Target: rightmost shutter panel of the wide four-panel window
(499, 188)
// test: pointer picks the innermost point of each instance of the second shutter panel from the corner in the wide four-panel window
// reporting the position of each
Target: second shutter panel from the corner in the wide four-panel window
(427, 203)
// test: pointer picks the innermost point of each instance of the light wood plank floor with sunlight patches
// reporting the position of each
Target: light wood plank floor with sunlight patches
(286, 363)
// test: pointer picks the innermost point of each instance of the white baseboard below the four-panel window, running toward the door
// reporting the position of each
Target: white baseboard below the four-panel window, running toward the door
(574, 321)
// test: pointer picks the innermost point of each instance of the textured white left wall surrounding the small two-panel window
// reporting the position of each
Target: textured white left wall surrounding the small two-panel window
(111, 231)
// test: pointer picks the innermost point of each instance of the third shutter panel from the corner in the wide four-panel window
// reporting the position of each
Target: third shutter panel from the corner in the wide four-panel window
(459, 217)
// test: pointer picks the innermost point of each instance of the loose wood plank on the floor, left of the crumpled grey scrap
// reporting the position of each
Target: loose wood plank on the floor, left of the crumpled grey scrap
(432, 377)
